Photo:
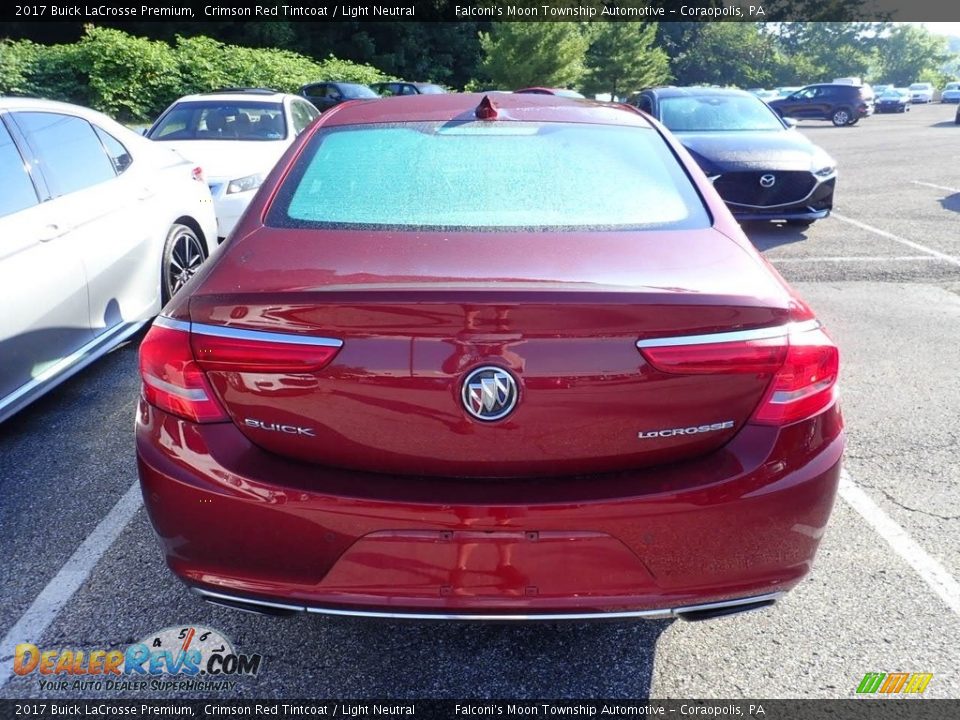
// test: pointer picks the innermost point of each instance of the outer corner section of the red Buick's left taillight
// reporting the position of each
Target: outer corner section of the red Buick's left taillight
(172, 379)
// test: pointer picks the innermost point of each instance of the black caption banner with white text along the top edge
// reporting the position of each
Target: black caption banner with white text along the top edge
(112, 11)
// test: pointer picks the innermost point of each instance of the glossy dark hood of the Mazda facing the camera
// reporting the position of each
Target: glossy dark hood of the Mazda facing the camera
(718, 152)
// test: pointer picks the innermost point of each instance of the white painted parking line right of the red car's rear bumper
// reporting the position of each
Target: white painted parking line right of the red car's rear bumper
(930, 571)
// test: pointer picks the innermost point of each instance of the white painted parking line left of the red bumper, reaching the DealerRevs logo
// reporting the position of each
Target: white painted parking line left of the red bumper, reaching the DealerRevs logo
(65, 583)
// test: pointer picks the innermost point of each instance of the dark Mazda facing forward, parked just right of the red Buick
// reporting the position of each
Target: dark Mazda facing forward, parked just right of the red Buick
(762, 168)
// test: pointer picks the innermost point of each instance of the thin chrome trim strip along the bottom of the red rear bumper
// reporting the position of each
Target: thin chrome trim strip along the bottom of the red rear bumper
(664, 613)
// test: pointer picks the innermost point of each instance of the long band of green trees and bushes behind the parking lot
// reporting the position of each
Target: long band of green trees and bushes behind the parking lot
(134, 72)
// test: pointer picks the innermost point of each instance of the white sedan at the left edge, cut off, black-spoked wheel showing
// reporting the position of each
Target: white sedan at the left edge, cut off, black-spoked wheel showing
(98, 228)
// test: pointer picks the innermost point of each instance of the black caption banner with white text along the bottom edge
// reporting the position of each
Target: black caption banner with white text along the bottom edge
(855, 709)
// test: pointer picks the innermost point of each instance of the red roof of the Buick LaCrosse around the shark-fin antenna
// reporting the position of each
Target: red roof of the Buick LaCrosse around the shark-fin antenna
(462, 106)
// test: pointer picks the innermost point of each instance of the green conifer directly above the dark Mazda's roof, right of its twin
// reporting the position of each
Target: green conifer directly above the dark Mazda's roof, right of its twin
(623, 57)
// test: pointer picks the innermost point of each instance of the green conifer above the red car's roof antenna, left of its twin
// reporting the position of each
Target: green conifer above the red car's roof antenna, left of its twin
(521, 54)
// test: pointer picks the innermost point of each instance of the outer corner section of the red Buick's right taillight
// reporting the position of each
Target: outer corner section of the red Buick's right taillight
(805, 384)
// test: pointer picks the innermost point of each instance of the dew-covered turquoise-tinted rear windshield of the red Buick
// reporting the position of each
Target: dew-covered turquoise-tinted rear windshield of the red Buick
(487, 175)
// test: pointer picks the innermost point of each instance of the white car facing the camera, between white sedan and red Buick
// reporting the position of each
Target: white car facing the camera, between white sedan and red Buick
(237, 136)
